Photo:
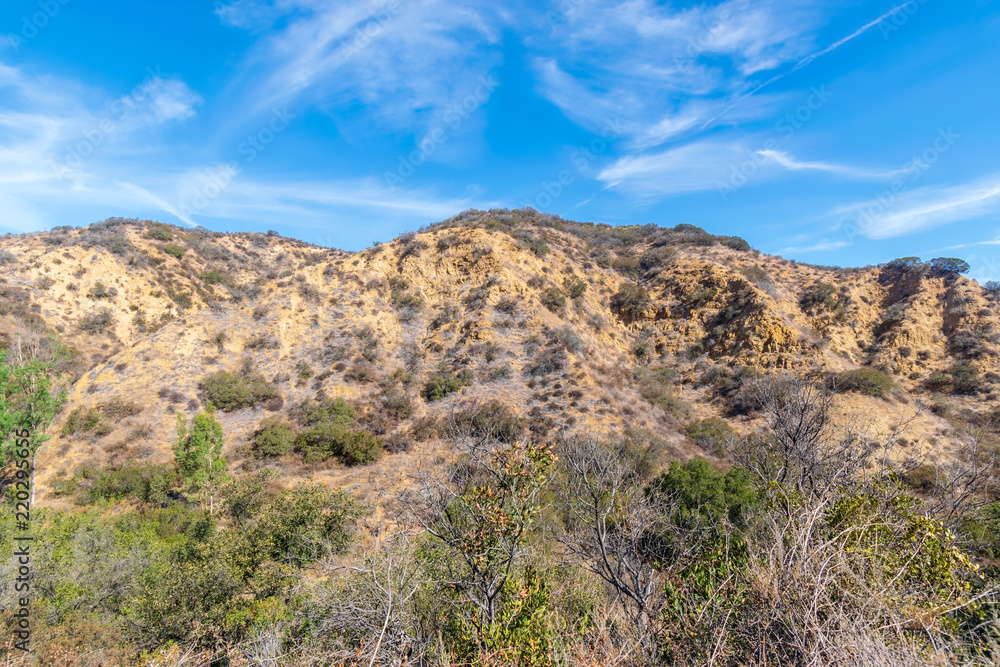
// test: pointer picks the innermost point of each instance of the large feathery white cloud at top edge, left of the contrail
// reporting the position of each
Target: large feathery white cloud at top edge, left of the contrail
(403, 62)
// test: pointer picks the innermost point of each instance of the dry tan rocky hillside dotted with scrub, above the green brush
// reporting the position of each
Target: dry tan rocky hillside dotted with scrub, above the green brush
(530, 323)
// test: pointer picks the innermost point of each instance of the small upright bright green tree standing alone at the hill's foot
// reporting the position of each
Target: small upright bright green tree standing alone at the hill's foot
(198, 452)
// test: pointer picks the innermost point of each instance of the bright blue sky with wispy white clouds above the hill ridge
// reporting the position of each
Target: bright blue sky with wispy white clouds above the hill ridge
(836, 132)
